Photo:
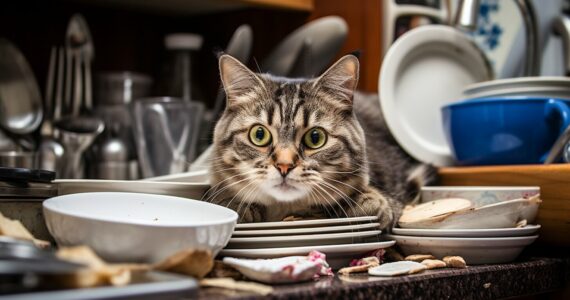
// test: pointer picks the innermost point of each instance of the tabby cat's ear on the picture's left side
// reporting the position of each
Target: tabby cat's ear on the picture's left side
(237, 80)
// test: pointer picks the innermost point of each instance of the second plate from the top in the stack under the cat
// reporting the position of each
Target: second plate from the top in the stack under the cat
(309, 230)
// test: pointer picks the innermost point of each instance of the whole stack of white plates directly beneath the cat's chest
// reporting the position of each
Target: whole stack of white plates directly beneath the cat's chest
(340, 239)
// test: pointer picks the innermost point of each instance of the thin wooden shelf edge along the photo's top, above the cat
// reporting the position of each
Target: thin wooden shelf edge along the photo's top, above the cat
(202, 6)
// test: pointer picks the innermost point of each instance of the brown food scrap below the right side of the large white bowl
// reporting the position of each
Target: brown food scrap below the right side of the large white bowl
(193, 262)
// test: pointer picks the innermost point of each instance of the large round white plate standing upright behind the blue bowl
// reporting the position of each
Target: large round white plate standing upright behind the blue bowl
(426, 68)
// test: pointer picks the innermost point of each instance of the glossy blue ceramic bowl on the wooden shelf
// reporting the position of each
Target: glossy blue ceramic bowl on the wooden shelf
(506, 130)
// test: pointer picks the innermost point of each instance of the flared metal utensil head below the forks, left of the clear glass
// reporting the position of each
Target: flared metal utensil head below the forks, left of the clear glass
(76, 135)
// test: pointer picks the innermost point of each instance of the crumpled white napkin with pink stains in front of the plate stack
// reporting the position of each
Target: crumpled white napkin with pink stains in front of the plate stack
(282, 270)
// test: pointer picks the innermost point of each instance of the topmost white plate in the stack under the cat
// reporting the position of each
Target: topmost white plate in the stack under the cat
(306, 223)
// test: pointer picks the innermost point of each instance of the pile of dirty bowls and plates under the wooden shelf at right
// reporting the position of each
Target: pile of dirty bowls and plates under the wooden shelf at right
(484, 225)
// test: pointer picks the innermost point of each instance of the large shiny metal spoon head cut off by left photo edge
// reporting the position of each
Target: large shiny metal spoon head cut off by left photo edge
(20, 100)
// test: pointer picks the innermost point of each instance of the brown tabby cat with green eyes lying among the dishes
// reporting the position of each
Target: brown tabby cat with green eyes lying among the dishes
(307, 147)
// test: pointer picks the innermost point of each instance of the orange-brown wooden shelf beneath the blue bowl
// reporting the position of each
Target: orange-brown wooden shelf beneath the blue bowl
(554, 182)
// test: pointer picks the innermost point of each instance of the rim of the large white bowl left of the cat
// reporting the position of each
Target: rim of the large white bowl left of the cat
(226, 220)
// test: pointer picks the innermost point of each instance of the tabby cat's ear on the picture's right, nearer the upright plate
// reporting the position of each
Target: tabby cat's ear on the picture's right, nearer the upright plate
(340, 79)
